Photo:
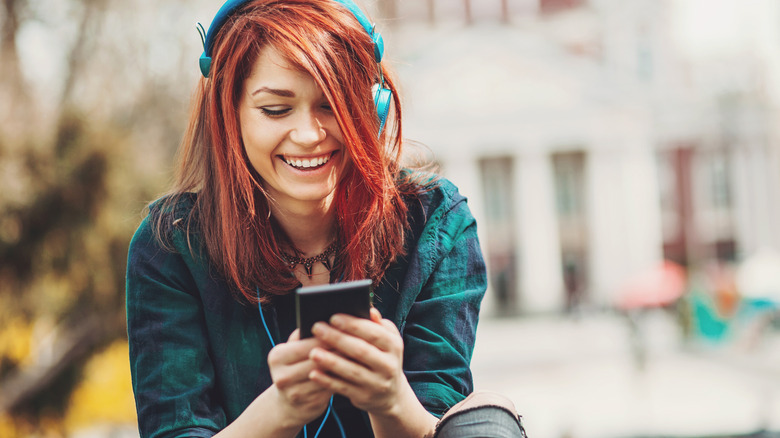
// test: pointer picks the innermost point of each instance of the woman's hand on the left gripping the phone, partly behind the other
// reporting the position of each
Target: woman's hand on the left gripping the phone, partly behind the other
(302, 399)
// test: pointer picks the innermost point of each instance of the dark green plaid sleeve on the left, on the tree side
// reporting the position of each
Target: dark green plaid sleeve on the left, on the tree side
(173, 376)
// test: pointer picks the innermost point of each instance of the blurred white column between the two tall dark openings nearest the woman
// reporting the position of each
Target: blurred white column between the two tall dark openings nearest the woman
(539, 262)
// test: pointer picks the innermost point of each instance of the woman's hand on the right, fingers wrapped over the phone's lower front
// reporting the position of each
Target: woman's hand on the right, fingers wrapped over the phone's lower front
(362, 361)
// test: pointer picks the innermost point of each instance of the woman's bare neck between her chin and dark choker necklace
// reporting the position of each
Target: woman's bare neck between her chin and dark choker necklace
(311, 228)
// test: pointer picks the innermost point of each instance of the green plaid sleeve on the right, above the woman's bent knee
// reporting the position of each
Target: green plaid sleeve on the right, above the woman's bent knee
(440, 325)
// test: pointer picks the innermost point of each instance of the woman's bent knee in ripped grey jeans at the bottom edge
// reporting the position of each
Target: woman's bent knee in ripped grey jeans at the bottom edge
(481, 416)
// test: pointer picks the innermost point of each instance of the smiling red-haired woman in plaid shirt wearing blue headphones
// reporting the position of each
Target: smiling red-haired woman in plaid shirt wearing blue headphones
(287, 178)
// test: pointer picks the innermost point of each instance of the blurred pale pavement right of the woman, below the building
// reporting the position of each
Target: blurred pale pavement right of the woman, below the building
(587, 377)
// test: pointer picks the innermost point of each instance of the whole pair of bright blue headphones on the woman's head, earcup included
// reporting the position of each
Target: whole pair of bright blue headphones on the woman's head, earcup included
(382, 95)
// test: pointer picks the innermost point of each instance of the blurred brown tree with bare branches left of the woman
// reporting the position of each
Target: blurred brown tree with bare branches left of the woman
(76, 166)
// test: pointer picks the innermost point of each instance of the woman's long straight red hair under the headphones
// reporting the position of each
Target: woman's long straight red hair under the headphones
(231, 211)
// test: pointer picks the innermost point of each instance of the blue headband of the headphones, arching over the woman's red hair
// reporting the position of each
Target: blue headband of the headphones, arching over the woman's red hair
(230, 6)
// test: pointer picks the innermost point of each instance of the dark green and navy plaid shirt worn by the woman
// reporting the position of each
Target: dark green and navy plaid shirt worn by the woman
(198, 355)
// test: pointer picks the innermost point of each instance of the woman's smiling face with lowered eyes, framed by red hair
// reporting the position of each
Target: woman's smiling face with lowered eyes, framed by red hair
(290, 134)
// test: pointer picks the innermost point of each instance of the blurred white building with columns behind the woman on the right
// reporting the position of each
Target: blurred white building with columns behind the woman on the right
(590, 142)
